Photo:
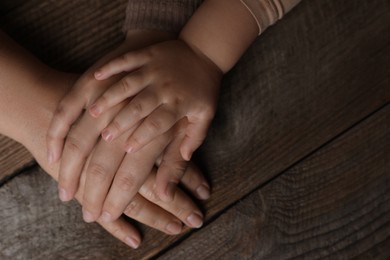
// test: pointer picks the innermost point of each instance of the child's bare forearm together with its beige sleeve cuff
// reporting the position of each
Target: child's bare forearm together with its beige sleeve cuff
(223, 29)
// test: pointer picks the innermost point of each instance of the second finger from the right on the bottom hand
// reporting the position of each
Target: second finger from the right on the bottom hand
(181, 206)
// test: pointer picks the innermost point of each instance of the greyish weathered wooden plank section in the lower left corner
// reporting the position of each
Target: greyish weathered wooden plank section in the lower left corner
(35, 225)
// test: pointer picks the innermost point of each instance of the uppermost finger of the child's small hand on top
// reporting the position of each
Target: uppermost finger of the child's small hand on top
(126, 62)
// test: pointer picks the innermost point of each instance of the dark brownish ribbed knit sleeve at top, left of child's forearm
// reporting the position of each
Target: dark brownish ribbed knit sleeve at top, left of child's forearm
(161, 15)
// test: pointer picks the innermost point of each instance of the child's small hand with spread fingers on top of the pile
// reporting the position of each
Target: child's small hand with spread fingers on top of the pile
(167, 82)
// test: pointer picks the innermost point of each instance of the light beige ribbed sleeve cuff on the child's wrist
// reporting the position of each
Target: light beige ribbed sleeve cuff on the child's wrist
(267, 12)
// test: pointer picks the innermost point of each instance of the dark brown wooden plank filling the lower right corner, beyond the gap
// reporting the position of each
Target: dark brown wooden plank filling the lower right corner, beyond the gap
(333, 205)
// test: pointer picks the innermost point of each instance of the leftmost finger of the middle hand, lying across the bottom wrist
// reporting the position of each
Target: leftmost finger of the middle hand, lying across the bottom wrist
(66, 114)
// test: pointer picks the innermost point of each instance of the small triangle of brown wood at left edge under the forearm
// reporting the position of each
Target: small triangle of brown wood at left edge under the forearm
(13, 157)
